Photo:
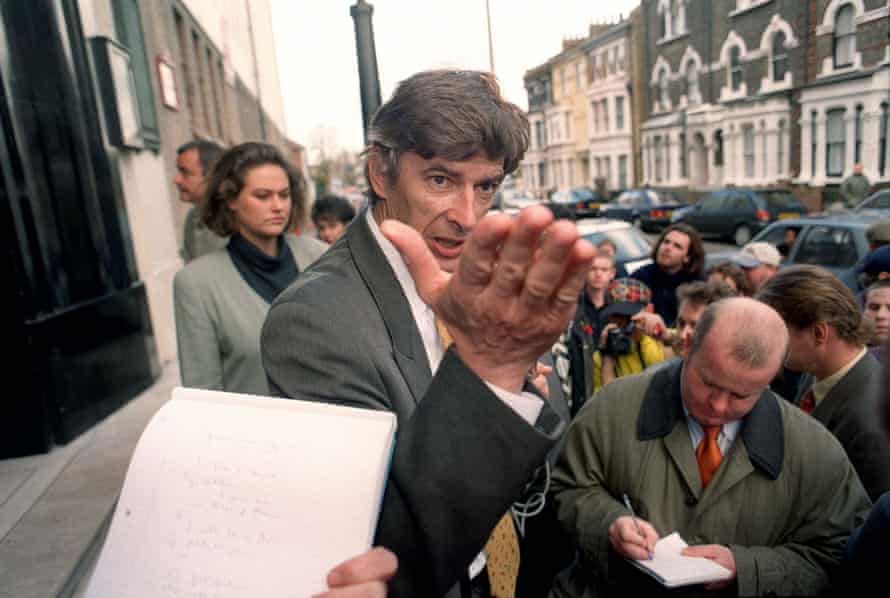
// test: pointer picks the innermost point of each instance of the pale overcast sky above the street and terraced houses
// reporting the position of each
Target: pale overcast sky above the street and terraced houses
(317, 65)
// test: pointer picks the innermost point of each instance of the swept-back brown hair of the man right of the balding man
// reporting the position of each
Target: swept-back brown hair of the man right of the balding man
(804, 295)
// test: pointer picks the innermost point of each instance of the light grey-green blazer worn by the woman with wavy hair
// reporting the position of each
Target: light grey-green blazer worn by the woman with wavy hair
(218, 321)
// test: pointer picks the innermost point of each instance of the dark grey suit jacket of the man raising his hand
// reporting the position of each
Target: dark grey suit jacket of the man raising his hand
(343, 333)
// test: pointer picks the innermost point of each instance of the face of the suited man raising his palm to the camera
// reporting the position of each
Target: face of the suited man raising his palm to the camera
(441, 199)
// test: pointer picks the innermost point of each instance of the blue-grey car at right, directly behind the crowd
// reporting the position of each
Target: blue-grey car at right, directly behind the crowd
(834, 241)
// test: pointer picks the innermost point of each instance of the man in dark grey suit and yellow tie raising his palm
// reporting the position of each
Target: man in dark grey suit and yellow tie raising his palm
(408, 313)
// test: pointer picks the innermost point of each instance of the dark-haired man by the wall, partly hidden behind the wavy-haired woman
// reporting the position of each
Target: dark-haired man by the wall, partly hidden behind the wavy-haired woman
(194, 161)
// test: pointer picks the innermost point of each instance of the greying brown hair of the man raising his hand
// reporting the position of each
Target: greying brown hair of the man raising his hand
(452, 114)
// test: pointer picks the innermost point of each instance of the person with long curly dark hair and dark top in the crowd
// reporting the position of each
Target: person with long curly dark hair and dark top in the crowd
(678, 257)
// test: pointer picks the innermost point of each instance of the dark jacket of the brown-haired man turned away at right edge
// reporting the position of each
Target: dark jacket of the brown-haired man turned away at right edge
(850, 412)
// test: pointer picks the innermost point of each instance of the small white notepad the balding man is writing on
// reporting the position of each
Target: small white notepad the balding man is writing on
(673, 569)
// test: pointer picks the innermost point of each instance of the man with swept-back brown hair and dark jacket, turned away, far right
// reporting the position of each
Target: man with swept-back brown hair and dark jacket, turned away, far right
(842, 381)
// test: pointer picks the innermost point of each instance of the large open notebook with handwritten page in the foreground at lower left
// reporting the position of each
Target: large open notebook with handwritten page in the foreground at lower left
(233, 495)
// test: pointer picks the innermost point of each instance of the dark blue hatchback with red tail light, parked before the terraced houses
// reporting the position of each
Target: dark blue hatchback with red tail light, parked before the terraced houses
(740, 213)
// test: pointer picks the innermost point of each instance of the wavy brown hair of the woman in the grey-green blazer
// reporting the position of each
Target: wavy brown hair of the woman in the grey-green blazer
(227, 180)
